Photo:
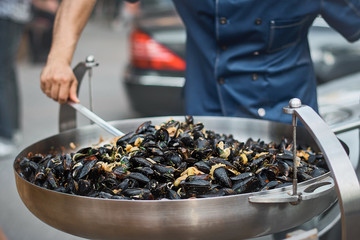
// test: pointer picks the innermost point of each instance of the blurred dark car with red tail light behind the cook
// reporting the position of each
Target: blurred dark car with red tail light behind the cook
(155, 75)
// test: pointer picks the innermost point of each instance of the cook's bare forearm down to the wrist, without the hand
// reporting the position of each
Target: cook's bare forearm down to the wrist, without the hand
(70, 20)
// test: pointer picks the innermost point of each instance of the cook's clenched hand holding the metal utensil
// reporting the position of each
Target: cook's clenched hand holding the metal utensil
(58, 82)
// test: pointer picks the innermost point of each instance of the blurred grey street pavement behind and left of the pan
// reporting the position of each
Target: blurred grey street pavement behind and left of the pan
(40, 119)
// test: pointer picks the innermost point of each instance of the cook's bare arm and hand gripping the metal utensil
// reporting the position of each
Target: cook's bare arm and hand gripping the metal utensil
(57, 79)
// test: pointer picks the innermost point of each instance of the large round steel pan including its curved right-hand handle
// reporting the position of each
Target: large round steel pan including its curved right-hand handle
(228, 217)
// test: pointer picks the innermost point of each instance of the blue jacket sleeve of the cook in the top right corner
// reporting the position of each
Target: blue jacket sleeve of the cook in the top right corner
(343, 16)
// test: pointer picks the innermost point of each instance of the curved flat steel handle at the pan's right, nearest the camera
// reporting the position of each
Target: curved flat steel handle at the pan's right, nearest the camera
(346, 182)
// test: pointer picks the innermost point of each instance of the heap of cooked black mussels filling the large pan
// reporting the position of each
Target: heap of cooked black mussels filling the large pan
(175, 160)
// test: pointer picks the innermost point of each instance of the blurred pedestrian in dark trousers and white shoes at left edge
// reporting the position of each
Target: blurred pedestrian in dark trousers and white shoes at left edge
(14, 14)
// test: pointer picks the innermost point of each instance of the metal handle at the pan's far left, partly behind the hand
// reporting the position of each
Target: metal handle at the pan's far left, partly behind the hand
(67, 115)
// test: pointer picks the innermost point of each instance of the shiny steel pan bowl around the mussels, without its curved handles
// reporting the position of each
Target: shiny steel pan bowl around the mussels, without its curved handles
(230, 217)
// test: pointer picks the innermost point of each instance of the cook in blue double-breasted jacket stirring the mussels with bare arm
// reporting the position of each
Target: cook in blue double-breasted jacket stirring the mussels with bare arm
(245, 58)
